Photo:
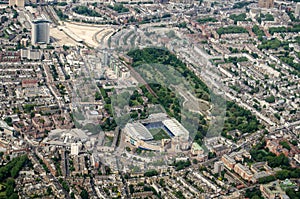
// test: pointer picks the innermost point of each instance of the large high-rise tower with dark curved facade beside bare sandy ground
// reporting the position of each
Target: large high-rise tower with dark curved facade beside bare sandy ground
(40, 32)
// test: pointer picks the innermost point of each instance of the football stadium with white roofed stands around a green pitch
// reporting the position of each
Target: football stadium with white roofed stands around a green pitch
(157, 133)
